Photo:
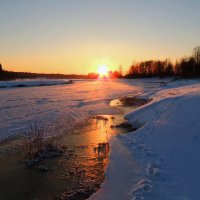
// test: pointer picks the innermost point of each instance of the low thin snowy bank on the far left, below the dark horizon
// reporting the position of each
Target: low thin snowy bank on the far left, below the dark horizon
(33, 82)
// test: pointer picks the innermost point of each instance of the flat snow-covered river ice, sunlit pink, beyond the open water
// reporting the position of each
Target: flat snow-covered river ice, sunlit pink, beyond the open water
(61, 105)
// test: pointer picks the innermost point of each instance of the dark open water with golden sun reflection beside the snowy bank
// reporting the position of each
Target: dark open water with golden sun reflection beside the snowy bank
(75, 175)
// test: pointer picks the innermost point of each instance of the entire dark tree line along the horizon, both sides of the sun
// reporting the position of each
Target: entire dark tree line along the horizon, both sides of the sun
(183, 68)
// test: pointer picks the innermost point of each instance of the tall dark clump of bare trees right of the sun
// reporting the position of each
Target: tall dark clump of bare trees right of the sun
(183, 68)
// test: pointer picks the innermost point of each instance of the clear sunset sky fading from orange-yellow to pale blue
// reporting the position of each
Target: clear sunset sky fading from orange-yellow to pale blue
(75, 36)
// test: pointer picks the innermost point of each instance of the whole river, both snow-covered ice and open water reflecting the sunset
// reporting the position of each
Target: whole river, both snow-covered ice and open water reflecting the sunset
(61, 108)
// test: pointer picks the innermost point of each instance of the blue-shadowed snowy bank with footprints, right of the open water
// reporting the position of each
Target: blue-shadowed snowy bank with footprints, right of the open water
(160, 161)
